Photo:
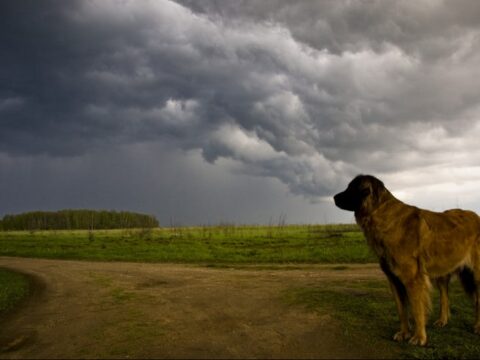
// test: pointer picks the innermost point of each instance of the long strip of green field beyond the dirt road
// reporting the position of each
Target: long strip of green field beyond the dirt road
(206, 245)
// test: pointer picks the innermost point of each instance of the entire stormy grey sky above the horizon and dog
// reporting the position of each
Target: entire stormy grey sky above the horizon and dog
(201, 112)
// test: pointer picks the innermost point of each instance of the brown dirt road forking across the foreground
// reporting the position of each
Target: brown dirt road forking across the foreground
(132, 310)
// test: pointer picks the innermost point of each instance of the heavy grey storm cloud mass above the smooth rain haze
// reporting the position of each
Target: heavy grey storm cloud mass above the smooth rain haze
(309, 93)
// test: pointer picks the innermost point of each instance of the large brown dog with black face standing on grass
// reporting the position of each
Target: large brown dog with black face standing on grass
(414, 246)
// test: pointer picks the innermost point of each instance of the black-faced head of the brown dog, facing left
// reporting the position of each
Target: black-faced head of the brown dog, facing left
(363, 192)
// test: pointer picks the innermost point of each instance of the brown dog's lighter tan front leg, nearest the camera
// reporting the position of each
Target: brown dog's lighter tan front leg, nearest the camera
(419, 298)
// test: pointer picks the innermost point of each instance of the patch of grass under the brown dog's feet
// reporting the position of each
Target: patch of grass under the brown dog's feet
(368, 317)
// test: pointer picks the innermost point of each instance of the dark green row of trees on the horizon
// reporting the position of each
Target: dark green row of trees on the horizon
(77, 220)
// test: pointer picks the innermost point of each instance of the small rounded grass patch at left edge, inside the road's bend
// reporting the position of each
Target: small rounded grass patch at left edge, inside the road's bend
(14, 287)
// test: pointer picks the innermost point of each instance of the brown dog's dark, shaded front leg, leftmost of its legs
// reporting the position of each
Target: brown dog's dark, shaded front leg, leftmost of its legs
(400, 294)
